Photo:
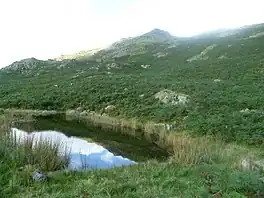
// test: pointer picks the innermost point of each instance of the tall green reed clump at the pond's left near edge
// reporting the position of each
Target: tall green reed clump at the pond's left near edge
(40, 153)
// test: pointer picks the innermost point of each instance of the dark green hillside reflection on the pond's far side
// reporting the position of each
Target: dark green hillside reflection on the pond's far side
(137, 147)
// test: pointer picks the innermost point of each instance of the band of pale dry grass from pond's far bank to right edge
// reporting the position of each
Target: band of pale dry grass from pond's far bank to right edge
(184, 148)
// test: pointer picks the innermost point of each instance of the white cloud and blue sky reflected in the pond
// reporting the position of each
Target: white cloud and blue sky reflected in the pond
(83, 155)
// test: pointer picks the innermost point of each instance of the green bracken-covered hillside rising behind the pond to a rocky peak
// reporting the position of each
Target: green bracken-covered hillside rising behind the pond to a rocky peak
(209, 84)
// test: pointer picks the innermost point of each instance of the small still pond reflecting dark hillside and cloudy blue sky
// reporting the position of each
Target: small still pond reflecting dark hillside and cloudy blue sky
(105, 148)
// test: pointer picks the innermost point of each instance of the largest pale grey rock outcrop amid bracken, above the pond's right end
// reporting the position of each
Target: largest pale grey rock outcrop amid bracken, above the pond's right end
(170, 97)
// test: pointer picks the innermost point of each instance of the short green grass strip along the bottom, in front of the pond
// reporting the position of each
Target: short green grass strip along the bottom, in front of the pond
(146, 180)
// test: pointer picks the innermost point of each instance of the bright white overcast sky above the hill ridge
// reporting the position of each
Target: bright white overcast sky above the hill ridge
(48, 28)
